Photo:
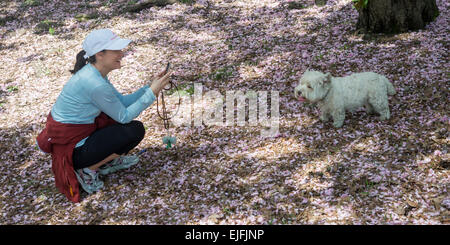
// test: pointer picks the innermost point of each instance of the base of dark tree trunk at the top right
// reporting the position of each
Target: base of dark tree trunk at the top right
(395, 16)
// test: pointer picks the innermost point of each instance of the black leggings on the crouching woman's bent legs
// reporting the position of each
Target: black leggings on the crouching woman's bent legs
(117, 138)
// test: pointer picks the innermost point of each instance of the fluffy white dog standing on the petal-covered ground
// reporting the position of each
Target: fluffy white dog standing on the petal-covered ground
(335, 95)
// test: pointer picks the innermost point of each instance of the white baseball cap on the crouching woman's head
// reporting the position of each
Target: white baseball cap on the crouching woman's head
(103, 39)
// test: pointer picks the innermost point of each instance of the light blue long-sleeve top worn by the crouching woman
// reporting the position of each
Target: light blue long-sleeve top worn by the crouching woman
(88, 93)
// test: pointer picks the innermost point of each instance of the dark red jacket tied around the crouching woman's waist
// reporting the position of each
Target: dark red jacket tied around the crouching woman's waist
(60, 139)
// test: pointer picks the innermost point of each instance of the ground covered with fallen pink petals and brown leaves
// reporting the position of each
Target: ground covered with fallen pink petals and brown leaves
(368, 172)
